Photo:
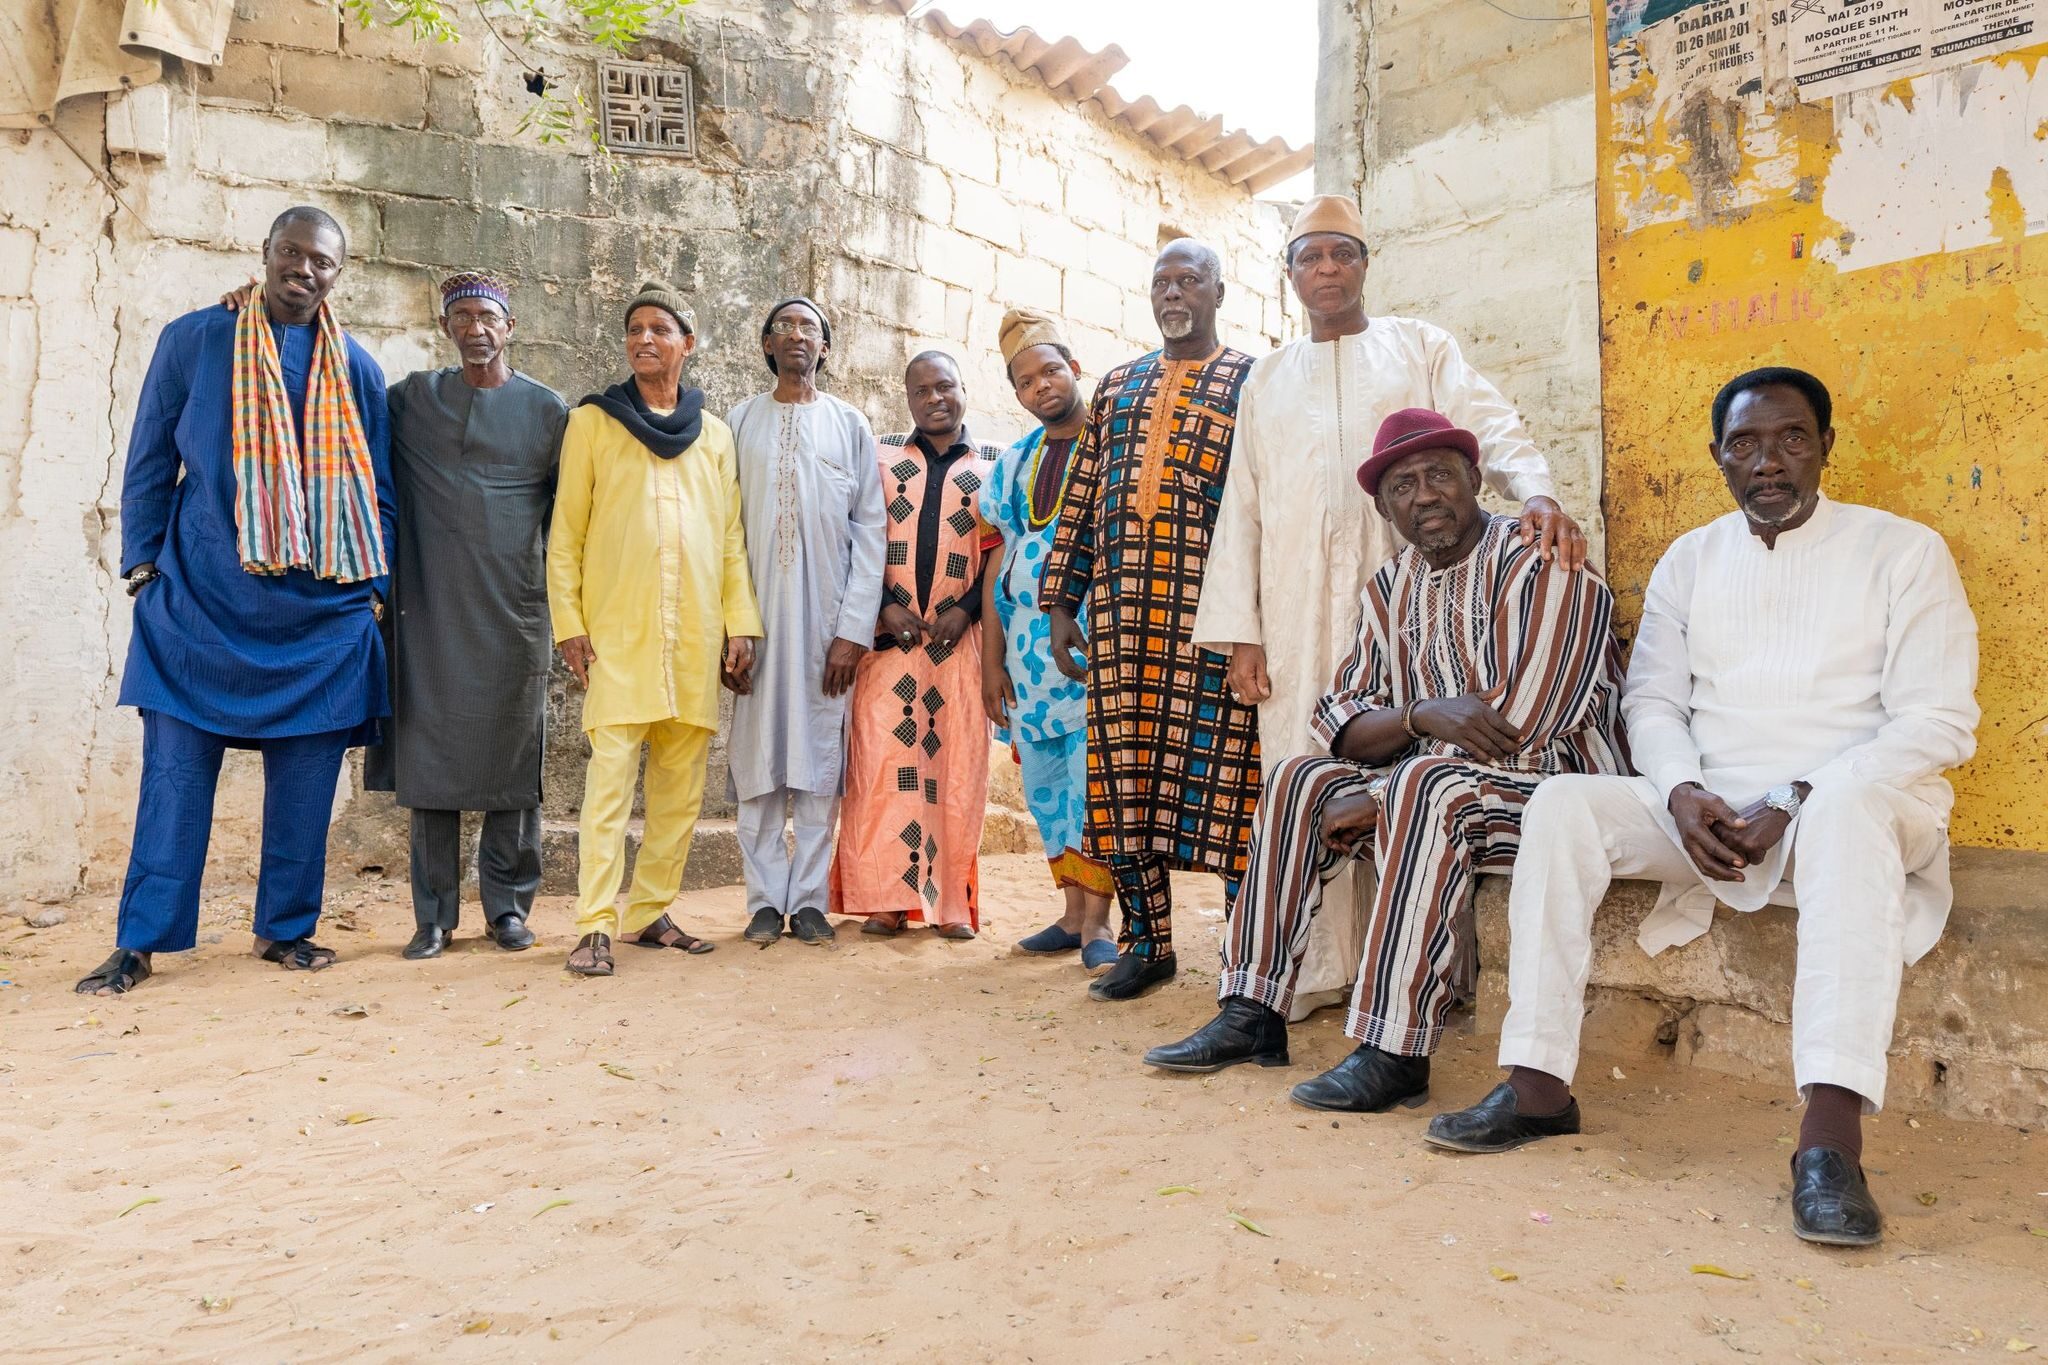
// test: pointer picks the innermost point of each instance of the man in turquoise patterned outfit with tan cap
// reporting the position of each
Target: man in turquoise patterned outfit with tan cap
(1033, 705)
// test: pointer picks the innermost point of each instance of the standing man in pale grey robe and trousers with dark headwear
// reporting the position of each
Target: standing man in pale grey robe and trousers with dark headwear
(810, 492)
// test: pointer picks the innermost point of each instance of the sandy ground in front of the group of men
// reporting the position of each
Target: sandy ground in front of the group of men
(896, 1151)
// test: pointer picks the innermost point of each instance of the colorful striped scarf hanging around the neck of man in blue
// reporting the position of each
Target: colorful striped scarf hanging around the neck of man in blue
(296, 509)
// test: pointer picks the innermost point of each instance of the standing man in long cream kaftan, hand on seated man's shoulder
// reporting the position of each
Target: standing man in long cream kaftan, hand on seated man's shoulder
(1299, 541)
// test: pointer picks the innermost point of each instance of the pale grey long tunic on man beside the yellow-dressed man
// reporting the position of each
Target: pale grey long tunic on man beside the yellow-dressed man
(812, 498)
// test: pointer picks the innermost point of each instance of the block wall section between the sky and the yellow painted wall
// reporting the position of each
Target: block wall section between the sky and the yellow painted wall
(1474, 140)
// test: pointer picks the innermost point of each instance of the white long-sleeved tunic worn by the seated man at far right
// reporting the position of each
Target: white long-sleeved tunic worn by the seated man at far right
(1844, 654)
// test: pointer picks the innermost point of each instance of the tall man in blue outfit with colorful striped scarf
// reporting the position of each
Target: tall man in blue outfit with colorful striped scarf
(257, 580)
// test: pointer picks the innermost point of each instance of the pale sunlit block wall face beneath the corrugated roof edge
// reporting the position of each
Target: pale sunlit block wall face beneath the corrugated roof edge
(978, 189)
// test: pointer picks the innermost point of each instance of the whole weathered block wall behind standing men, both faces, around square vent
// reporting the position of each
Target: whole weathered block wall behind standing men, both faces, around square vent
(914, 220)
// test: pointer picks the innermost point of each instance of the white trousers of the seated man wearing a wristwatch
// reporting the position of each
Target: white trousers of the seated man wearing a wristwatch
(1852, 850)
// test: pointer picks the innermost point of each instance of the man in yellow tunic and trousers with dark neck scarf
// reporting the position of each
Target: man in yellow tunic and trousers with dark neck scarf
(646, 580)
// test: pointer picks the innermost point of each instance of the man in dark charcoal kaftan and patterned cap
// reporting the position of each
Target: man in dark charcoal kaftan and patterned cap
(474, 453)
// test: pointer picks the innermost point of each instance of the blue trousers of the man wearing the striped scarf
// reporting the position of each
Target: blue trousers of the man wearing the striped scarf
(181, 766)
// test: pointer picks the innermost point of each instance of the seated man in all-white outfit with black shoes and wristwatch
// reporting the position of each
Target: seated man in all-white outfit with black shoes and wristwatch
(1803, 676)
